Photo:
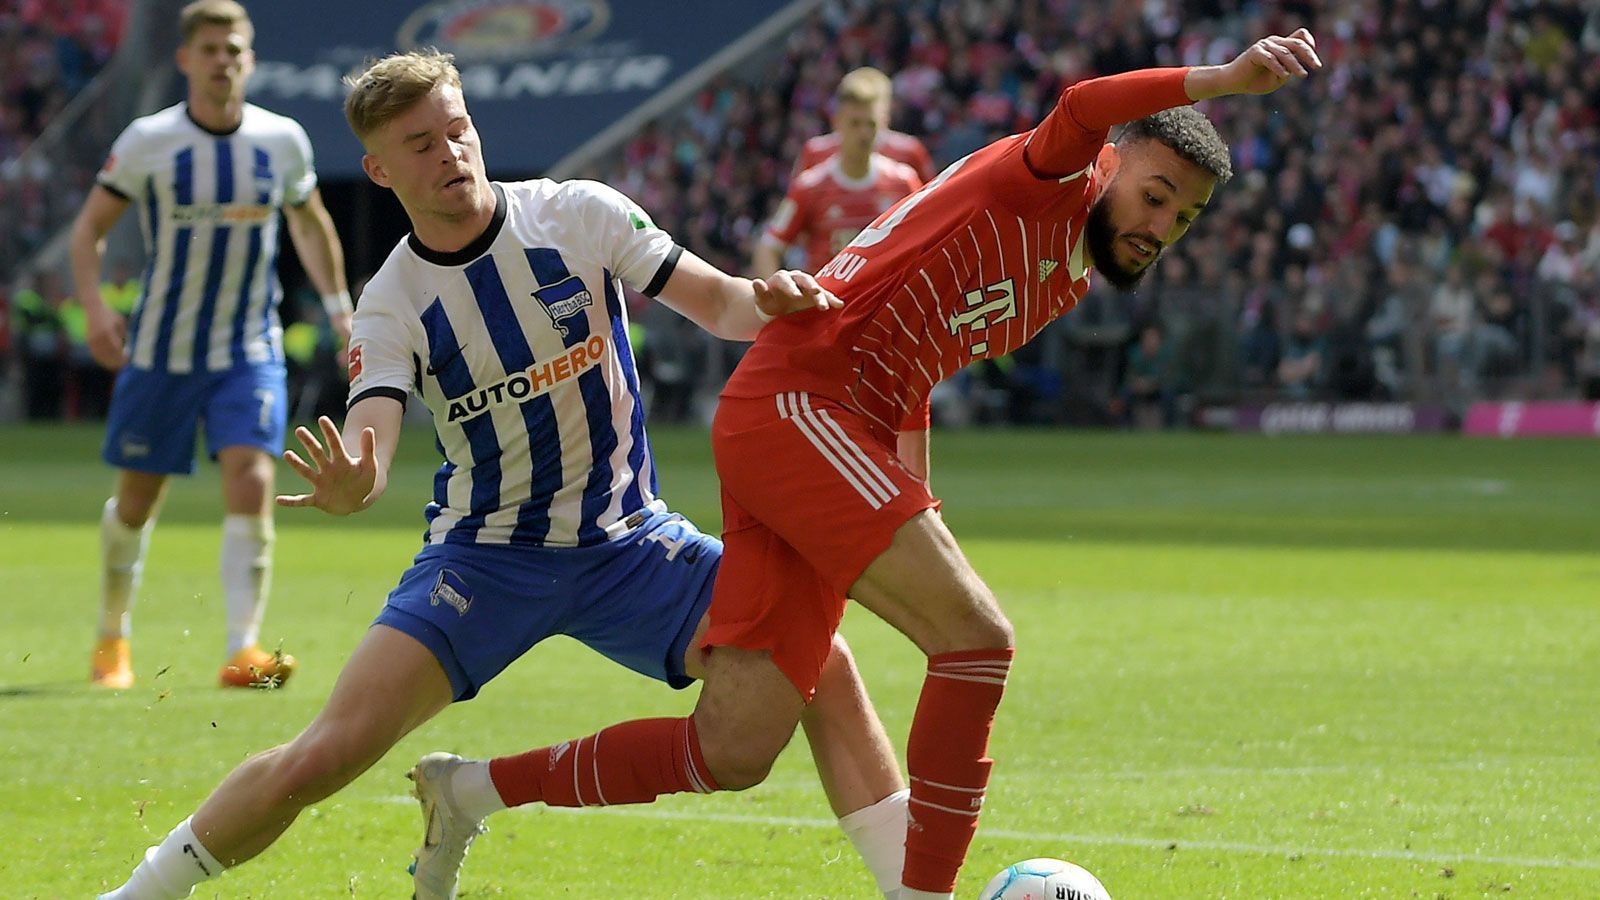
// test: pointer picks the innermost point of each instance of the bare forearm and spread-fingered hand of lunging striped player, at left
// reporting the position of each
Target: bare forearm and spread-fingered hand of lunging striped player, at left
(343, 484)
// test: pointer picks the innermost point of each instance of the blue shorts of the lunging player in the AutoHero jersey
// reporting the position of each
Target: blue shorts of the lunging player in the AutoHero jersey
(634, 600)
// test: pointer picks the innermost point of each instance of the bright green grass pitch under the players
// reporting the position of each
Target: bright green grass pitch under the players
(1247, 669)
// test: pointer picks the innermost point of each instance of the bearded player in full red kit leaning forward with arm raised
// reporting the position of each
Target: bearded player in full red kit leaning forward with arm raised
(822, 436)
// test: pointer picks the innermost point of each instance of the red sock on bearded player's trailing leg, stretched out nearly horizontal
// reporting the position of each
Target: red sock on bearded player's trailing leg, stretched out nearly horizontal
(633, 763)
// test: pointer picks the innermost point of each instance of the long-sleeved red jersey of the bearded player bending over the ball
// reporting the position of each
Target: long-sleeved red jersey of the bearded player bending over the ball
(970, 267)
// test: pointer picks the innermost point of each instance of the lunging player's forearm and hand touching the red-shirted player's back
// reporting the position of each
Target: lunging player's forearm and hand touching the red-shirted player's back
(735, 308)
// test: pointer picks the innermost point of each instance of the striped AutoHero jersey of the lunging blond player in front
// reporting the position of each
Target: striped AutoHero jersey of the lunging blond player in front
(519, 347)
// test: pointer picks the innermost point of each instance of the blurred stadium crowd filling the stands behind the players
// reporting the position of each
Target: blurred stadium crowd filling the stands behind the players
(1420, 225)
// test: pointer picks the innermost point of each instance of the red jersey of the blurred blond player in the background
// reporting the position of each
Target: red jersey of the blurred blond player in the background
(826, 209)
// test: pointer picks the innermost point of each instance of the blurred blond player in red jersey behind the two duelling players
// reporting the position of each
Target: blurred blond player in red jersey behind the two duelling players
(831, 203)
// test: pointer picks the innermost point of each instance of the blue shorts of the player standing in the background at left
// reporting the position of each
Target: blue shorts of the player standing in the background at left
(154, 416)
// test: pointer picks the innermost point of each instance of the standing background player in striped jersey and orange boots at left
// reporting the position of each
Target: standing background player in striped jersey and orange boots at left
(204, 344)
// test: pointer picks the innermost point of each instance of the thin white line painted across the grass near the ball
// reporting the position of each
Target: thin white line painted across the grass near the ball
(1100, 840)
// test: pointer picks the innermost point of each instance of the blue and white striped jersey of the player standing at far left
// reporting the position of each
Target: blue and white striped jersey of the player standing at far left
(209, 206)
